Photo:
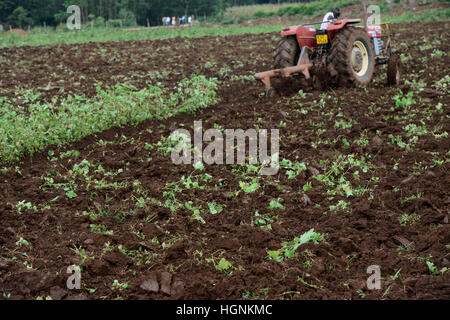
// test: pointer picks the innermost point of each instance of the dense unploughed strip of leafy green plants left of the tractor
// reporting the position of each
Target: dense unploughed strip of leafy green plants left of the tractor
(32, 129)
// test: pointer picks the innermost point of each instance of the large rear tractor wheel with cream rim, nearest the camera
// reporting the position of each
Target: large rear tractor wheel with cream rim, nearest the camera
(353, 57)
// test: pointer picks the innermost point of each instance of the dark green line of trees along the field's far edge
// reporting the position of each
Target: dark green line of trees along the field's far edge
(21, 13)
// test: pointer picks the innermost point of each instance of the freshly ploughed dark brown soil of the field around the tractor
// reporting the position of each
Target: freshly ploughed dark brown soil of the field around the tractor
(162, 254)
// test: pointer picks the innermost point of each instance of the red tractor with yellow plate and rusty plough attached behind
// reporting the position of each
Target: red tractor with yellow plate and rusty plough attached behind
(347, 53)
